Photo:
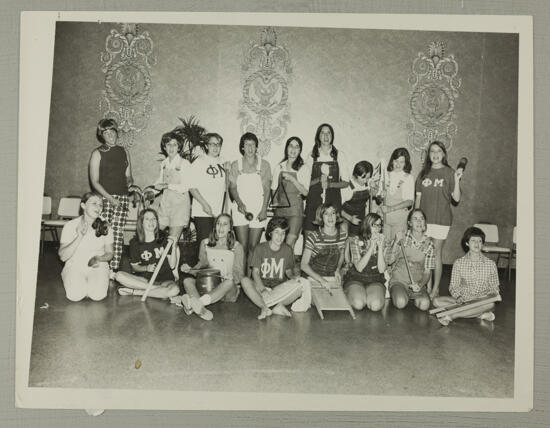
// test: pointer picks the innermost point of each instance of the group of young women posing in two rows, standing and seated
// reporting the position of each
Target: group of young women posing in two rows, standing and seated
(345, 242)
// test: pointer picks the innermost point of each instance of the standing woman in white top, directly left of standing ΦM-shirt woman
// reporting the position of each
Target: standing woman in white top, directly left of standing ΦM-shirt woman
(398, 194)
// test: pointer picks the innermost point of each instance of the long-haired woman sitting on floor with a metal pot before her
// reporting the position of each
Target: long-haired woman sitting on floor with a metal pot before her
(220, 251)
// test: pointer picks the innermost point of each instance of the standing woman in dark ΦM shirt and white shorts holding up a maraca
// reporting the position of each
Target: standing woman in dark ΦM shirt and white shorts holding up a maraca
(437, 186)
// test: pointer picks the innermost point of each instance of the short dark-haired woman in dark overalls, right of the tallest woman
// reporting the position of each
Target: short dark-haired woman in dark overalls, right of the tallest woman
(356, 197)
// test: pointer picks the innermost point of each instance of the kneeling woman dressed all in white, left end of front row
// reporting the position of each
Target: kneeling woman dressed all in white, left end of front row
(86, 247)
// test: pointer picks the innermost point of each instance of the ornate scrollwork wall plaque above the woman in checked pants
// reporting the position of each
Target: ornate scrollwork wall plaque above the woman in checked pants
(127, 60)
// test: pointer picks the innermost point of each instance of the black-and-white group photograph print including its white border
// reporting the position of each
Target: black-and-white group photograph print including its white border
(324, 208)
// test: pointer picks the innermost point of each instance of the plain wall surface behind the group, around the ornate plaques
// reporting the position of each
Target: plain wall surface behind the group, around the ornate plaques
(357, 80)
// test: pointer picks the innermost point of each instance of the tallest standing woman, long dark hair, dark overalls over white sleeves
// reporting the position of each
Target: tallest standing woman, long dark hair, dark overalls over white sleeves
(329, 174)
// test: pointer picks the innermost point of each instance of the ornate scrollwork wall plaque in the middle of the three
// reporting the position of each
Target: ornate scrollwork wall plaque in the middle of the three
(264, 107)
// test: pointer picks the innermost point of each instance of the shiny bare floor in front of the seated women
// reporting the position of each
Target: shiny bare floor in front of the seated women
(395, 352)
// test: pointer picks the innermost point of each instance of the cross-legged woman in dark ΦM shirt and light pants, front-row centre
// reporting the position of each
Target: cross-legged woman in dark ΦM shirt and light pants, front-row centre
(274, 282)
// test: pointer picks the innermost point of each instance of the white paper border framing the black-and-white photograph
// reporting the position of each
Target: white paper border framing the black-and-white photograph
(36, 66)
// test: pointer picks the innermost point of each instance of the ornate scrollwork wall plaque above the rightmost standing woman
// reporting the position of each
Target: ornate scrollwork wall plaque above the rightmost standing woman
(434, 85)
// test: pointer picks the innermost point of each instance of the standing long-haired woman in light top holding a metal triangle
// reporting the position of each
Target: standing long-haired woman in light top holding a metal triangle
(292, 175)
